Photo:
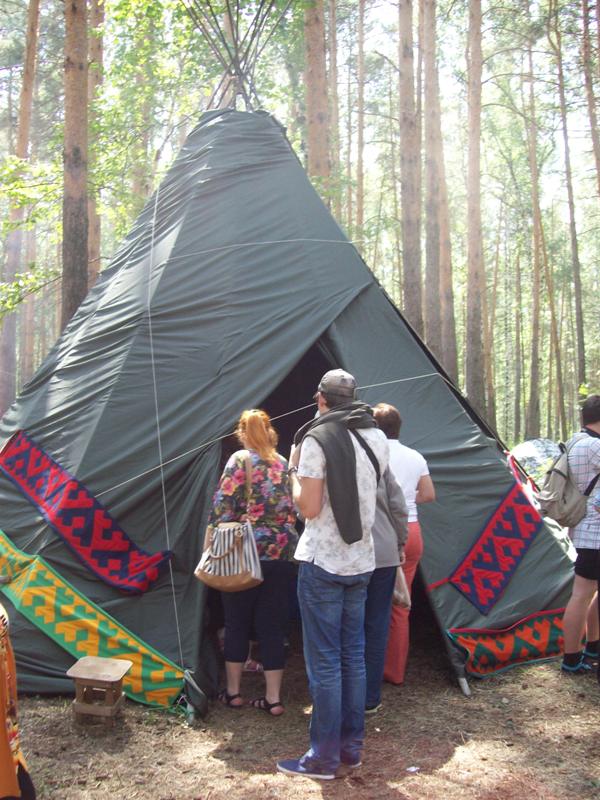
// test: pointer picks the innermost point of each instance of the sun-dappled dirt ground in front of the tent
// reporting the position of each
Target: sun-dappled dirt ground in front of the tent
(529, 734)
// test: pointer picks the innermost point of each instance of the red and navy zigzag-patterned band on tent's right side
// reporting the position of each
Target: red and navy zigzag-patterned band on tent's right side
(487, 569)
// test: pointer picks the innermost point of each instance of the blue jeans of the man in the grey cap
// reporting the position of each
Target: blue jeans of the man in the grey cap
(333, 609)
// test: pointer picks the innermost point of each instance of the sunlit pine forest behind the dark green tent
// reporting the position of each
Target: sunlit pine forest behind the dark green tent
(456, 142)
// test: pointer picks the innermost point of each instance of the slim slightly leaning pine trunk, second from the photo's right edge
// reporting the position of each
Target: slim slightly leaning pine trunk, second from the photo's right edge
(556, 45)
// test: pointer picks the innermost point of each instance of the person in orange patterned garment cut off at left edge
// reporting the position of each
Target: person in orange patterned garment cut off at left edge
(14, 778)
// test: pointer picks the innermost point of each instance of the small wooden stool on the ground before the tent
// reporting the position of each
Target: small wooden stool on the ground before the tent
(98, 687)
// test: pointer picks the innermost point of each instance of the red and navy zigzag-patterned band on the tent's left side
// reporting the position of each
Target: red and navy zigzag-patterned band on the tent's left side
(79, 519)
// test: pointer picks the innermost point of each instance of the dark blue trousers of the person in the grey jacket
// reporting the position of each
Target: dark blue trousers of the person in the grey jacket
(378, 610)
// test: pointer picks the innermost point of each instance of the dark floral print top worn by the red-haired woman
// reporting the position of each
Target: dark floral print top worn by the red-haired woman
(270, 510)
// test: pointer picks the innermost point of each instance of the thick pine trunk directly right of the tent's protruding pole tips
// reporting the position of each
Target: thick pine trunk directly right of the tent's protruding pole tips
(317, 102)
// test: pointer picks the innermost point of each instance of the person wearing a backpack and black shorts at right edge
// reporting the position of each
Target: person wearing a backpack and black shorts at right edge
(584, 465)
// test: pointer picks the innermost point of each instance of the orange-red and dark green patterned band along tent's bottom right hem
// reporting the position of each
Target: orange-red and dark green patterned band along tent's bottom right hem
(538, 637)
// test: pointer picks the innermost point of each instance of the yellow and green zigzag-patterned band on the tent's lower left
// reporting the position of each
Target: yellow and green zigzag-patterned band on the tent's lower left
(82, 628)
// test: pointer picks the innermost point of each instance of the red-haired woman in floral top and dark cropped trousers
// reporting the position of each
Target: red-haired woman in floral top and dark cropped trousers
(263, 609)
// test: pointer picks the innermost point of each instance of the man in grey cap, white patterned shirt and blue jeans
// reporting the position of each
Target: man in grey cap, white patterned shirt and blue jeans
(341, 455)
